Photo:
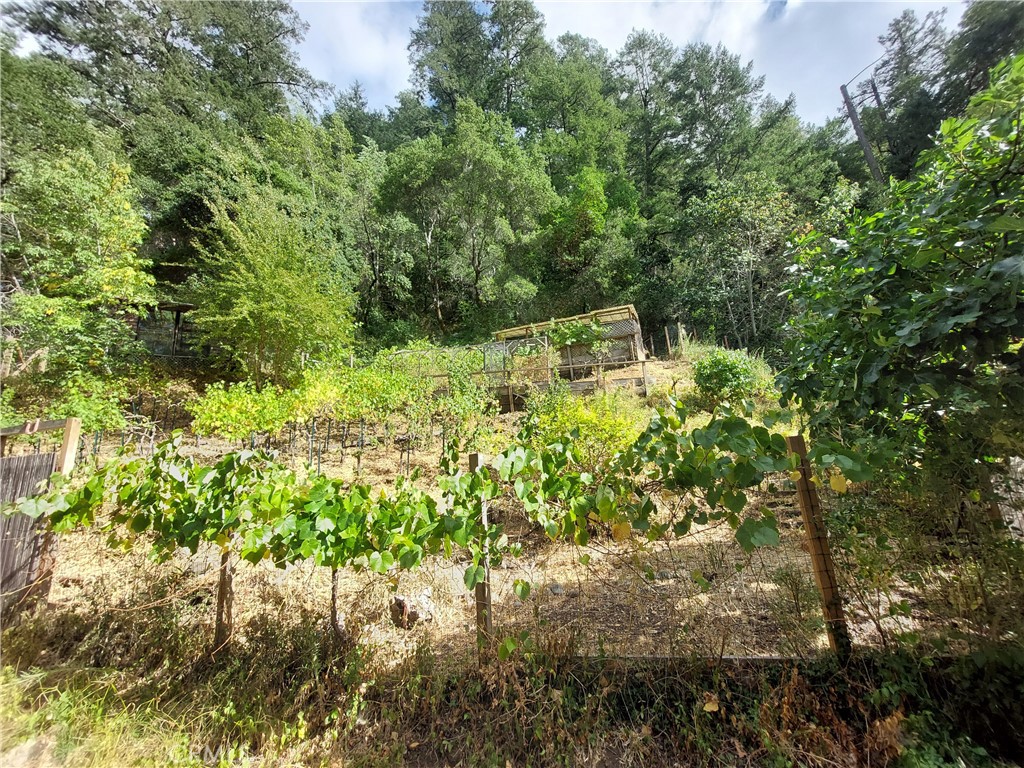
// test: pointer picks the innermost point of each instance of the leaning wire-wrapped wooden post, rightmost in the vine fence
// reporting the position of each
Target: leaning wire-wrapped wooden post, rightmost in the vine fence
(822, 561)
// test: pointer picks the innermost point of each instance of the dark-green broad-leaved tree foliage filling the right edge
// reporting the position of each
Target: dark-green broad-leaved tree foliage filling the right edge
(909, 326)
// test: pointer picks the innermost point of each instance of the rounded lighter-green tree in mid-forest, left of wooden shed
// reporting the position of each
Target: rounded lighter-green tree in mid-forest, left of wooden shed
(477, 200)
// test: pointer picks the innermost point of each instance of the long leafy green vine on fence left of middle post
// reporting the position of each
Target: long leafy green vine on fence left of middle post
(250, 504)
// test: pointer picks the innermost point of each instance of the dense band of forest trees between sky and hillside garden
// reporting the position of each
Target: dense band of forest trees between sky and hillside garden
(519, 179)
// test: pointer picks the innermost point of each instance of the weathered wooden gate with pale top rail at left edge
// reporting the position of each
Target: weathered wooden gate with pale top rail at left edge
(28, 549)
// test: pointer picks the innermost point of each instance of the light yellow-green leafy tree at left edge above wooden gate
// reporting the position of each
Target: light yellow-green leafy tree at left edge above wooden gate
(71, 228)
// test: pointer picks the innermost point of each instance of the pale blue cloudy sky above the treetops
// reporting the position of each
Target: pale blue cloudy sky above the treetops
(804, 48)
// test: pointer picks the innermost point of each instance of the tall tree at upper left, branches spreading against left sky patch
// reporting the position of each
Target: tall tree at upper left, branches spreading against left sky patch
(178, 81)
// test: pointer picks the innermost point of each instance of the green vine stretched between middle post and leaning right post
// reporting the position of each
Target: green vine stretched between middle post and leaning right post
(568, 498)
